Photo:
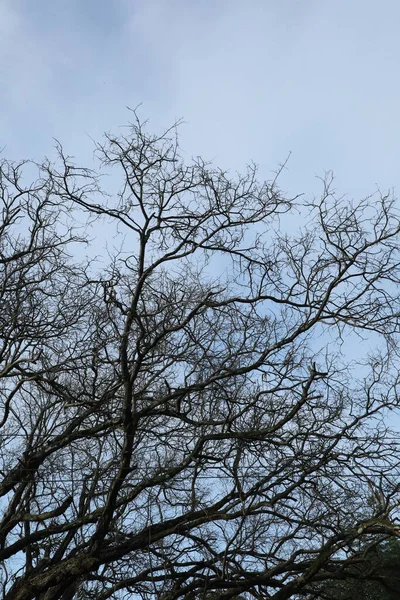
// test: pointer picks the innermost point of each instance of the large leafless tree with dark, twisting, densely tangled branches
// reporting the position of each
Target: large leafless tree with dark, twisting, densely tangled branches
(184, 418)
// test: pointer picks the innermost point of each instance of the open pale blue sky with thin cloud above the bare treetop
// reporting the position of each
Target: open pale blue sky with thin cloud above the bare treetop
(253, 80)
